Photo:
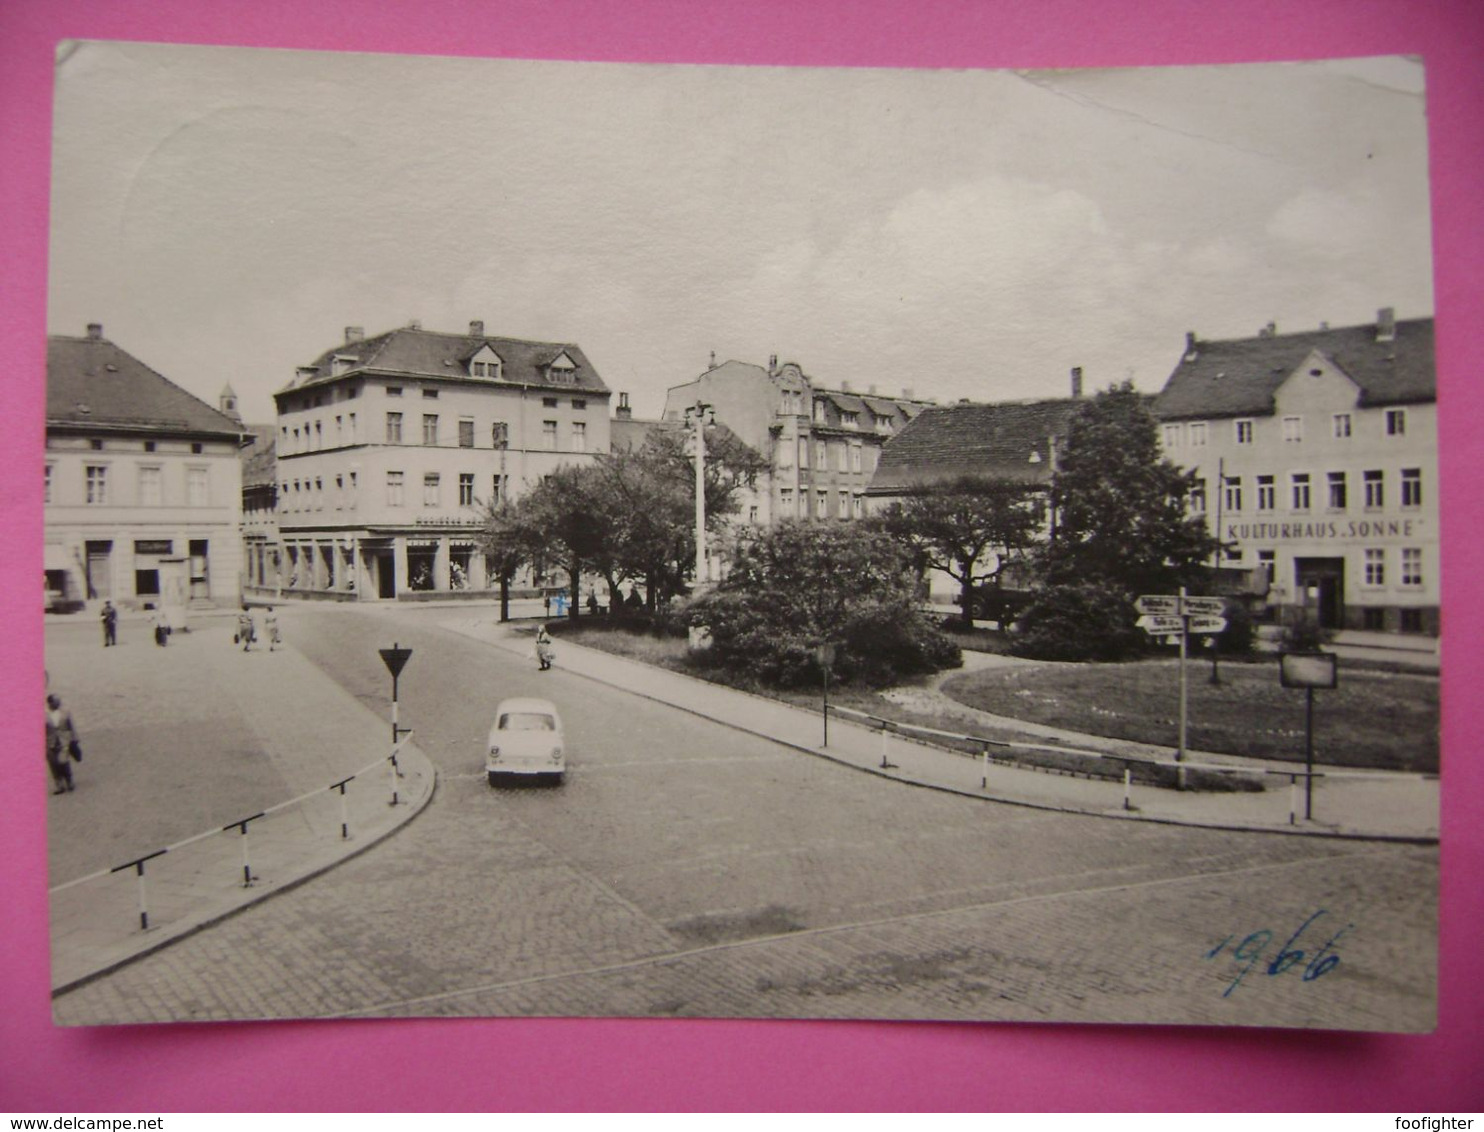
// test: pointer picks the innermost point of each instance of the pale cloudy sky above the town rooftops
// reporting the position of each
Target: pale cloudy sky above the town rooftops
(226, 213)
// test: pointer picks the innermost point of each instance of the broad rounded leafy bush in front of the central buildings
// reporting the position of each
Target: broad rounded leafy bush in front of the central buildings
(799, 585)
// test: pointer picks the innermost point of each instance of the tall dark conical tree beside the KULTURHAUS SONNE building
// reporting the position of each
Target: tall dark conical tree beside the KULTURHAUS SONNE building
(1120, 508)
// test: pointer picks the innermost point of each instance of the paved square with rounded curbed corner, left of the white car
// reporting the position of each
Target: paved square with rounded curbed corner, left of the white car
(271, 726)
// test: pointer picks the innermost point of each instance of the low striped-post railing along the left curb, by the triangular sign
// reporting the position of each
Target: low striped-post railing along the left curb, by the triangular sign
(243, 876)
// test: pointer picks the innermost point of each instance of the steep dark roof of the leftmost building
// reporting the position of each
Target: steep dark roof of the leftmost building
(91, 384)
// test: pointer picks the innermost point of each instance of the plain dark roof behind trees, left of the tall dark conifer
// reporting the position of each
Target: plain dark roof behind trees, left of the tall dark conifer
(994, 441)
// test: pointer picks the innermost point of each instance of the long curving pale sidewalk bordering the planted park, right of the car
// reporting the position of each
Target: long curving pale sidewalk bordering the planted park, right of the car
(1387, 806)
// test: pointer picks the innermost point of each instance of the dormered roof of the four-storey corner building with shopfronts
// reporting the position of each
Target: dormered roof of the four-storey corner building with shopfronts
(431, 354)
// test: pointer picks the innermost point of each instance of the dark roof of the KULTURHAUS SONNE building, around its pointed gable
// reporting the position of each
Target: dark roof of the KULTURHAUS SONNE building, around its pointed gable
(1238, 378)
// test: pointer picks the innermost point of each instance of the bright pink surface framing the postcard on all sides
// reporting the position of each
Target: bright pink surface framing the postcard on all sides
(722, 1066)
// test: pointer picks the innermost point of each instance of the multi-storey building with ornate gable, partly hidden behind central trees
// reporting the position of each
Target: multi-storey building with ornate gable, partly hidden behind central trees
(821, 444)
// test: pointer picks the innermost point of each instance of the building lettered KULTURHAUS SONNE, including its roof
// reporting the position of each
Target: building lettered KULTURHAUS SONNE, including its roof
(1319, 456)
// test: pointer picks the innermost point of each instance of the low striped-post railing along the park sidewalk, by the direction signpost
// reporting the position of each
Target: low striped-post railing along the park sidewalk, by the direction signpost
(999, 751)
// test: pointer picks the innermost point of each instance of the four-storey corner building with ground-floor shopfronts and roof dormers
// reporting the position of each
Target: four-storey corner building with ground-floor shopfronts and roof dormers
(390, 447)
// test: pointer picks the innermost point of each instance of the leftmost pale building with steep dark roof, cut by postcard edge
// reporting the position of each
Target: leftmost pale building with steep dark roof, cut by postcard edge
(143, 487)
